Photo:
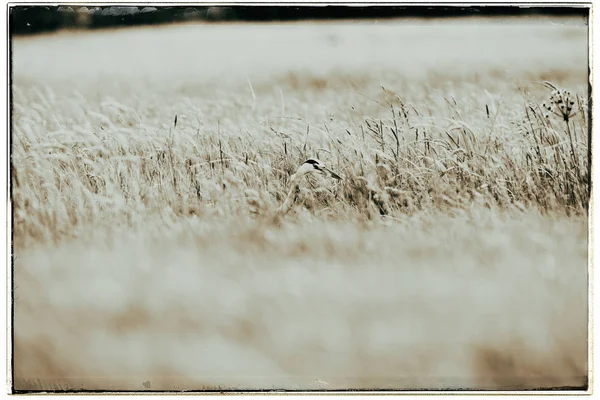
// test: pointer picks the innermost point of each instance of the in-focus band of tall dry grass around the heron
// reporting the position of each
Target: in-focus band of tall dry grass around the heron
(101, 165)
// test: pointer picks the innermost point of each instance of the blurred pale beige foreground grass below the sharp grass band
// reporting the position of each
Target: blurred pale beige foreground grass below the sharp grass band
(478, 301)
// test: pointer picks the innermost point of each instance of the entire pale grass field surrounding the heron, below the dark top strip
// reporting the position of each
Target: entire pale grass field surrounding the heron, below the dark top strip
(148, 164)
